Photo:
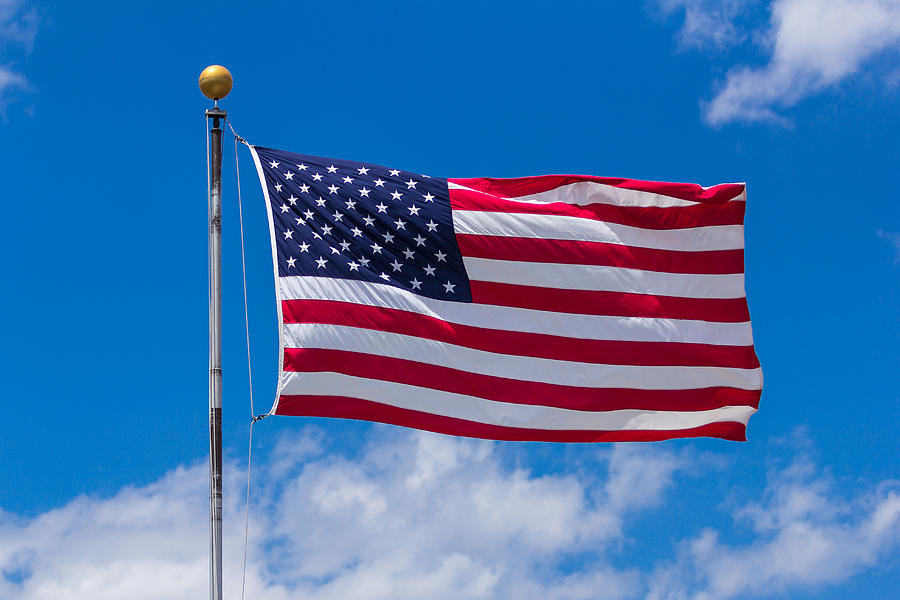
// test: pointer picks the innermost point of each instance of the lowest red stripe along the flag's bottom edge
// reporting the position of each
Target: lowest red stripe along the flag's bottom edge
(354, 408)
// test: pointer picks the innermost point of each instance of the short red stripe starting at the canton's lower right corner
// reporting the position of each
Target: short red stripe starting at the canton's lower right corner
(619, 304)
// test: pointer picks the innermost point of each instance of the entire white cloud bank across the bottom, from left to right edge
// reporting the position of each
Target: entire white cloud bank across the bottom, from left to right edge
(426, 516)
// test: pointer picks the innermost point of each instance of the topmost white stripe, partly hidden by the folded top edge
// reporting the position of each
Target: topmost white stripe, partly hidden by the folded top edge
(591, 192)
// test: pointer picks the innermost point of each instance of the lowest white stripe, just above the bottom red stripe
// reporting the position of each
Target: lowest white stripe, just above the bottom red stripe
(504, 414)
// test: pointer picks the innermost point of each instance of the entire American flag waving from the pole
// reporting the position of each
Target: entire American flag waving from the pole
(549, 308)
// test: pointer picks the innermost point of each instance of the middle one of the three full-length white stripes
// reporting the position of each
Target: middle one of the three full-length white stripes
(522, 368)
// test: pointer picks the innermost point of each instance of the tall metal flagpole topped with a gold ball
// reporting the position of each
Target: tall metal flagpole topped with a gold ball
(215, 83)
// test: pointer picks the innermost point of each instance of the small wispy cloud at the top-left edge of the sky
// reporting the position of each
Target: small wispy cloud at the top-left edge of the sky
(18, 28)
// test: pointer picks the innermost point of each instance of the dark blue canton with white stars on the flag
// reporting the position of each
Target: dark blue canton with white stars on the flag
(349, 220)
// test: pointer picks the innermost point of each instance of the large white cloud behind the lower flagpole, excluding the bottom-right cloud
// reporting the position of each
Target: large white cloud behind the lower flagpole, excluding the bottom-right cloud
(416, 516)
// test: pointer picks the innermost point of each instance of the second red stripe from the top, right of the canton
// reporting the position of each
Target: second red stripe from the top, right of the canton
(651, 217)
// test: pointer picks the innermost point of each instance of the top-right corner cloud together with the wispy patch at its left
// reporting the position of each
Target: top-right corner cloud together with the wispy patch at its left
(812, 45)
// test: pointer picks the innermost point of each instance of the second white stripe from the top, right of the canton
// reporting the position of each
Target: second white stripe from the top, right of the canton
(557, 227)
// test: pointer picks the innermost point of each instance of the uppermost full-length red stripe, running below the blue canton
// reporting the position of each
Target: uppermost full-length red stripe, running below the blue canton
(515, 342)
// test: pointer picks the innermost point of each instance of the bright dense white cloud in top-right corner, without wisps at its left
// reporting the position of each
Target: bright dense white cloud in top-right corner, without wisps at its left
(814, 45)
